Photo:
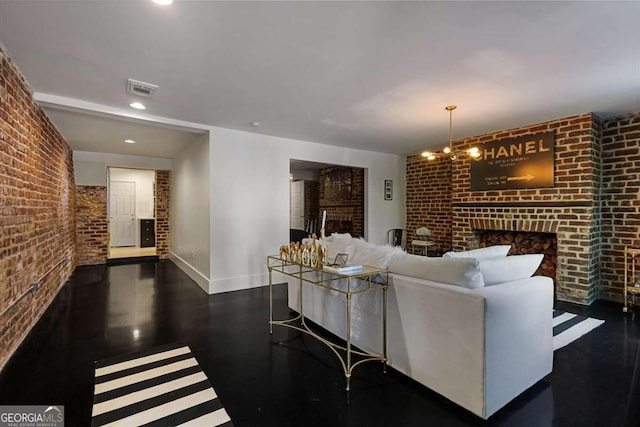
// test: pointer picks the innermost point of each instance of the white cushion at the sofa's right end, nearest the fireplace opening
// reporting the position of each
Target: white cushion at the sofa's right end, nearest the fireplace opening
(507, 269)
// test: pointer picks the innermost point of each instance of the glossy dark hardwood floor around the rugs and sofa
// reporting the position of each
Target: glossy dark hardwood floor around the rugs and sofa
(288, 379)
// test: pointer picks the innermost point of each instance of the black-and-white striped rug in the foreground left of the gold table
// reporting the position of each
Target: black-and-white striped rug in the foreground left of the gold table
(163, 386)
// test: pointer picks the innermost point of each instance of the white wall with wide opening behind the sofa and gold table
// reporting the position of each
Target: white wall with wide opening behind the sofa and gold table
(250, 199)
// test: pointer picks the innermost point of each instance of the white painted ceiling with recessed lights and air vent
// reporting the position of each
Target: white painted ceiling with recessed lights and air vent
(368, 75)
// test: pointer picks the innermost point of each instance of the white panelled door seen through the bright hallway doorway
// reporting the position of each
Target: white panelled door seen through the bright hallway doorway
(122, 197)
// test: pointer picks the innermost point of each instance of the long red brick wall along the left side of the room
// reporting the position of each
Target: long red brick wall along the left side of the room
(37, 206)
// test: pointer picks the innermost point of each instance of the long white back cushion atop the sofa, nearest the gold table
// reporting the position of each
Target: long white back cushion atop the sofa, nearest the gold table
(463, 272)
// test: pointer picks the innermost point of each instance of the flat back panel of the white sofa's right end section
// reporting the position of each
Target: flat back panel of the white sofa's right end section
(436, 337)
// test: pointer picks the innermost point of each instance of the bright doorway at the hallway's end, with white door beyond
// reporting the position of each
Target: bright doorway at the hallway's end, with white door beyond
(131, 211)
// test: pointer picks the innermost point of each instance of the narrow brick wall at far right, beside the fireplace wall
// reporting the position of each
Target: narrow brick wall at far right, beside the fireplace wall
(621, 198)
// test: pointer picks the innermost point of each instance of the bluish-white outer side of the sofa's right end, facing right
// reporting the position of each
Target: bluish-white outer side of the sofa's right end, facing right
(518, 337)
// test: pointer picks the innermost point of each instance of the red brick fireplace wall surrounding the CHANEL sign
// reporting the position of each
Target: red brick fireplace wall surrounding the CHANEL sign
(571, 209)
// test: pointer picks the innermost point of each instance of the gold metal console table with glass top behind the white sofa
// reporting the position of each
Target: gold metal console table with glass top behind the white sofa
(370, 279)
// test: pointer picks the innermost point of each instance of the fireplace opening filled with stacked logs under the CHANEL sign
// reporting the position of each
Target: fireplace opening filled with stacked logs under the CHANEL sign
(525, 242)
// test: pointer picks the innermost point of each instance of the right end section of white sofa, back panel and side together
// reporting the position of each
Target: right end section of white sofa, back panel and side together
(478, 347)
